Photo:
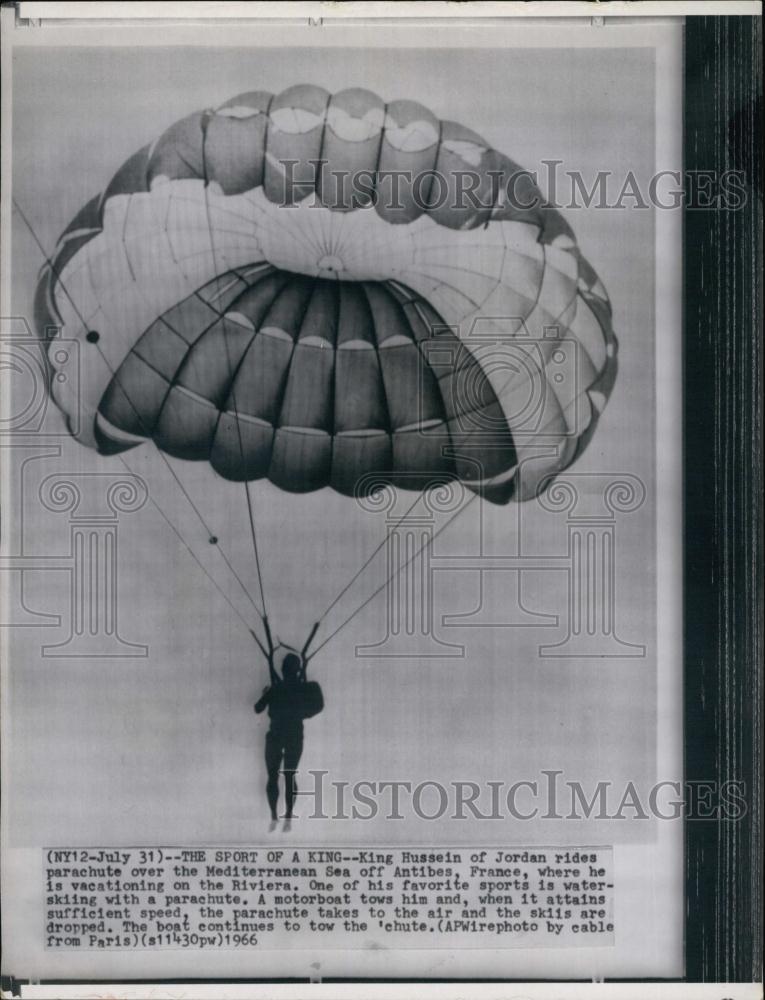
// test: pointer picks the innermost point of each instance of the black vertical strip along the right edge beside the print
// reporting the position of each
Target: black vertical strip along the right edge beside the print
(723, 493)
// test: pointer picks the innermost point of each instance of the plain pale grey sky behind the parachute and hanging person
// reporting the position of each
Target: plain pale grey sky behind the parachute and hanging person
(167, 749)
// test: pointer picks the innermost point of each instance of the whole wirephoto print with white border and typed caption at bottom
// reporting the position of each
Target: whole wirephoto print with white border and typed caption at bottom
(342, 473)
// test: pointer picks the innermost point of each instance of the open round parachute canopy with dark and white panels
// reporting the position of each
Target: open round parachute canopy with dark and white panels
(328, 290)
